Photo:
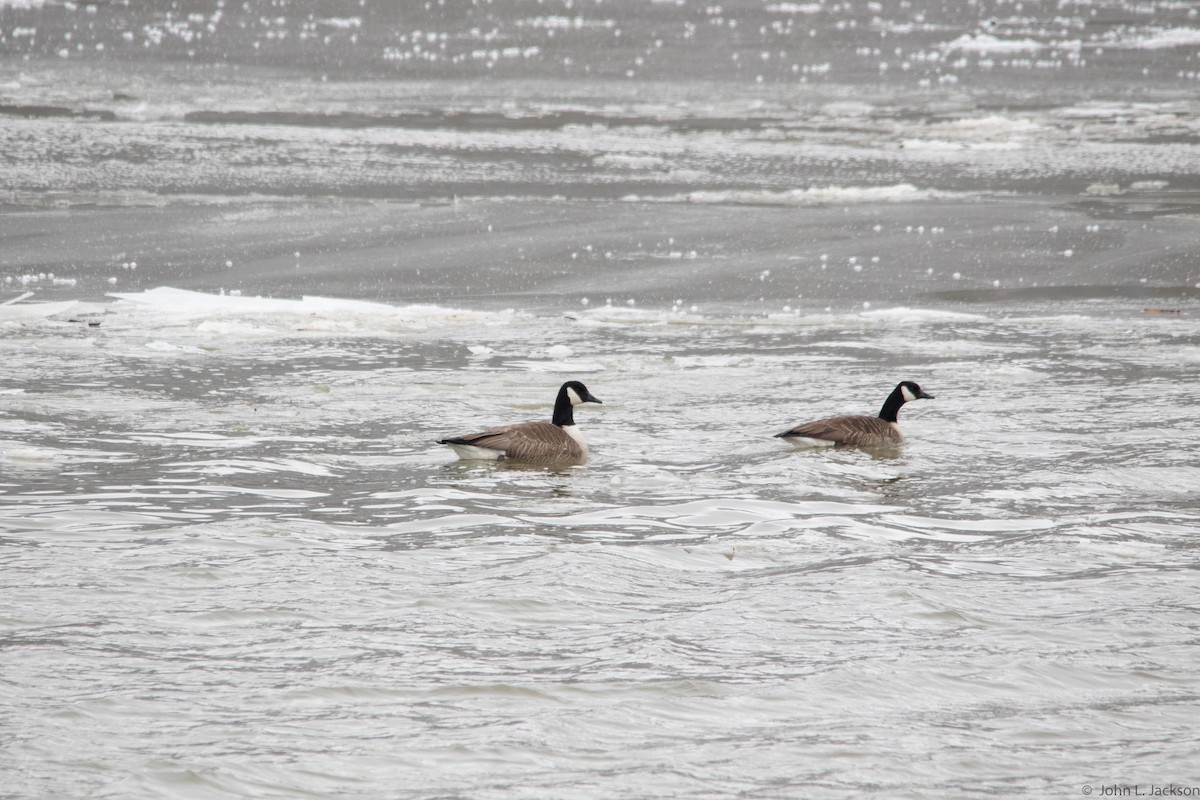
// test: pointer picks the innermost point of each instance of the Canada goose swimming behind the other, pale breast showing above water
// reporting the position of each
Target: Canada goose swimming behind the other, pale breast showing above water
(557, 442)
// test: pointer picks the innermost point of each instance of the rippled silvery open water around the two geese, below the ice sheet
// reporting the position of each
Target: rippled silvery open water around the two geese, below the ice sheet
(237, 564)
